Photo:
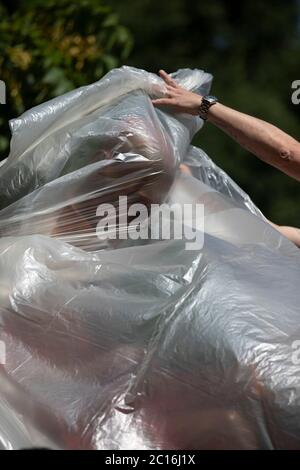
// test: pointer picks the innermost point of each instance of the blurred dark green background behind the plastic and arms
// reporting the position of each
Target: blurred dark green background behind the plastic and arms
(252, 48)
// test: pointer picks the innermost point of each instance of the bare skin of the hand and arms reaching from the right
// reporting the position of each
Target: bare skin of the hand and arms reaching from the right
(264, 140)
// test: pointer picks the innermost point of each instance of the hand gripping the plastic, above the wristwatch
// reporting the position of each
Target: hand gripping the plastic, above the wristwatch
(179, 98)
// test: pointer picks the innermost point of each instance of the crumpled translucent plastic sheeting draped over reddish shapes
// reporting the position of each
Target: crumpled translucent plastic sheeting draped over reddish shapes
(138, 344)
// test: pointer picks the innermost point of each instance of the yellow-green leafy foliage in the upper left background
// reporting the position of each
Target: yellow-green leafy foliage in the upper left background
(49, 48)
